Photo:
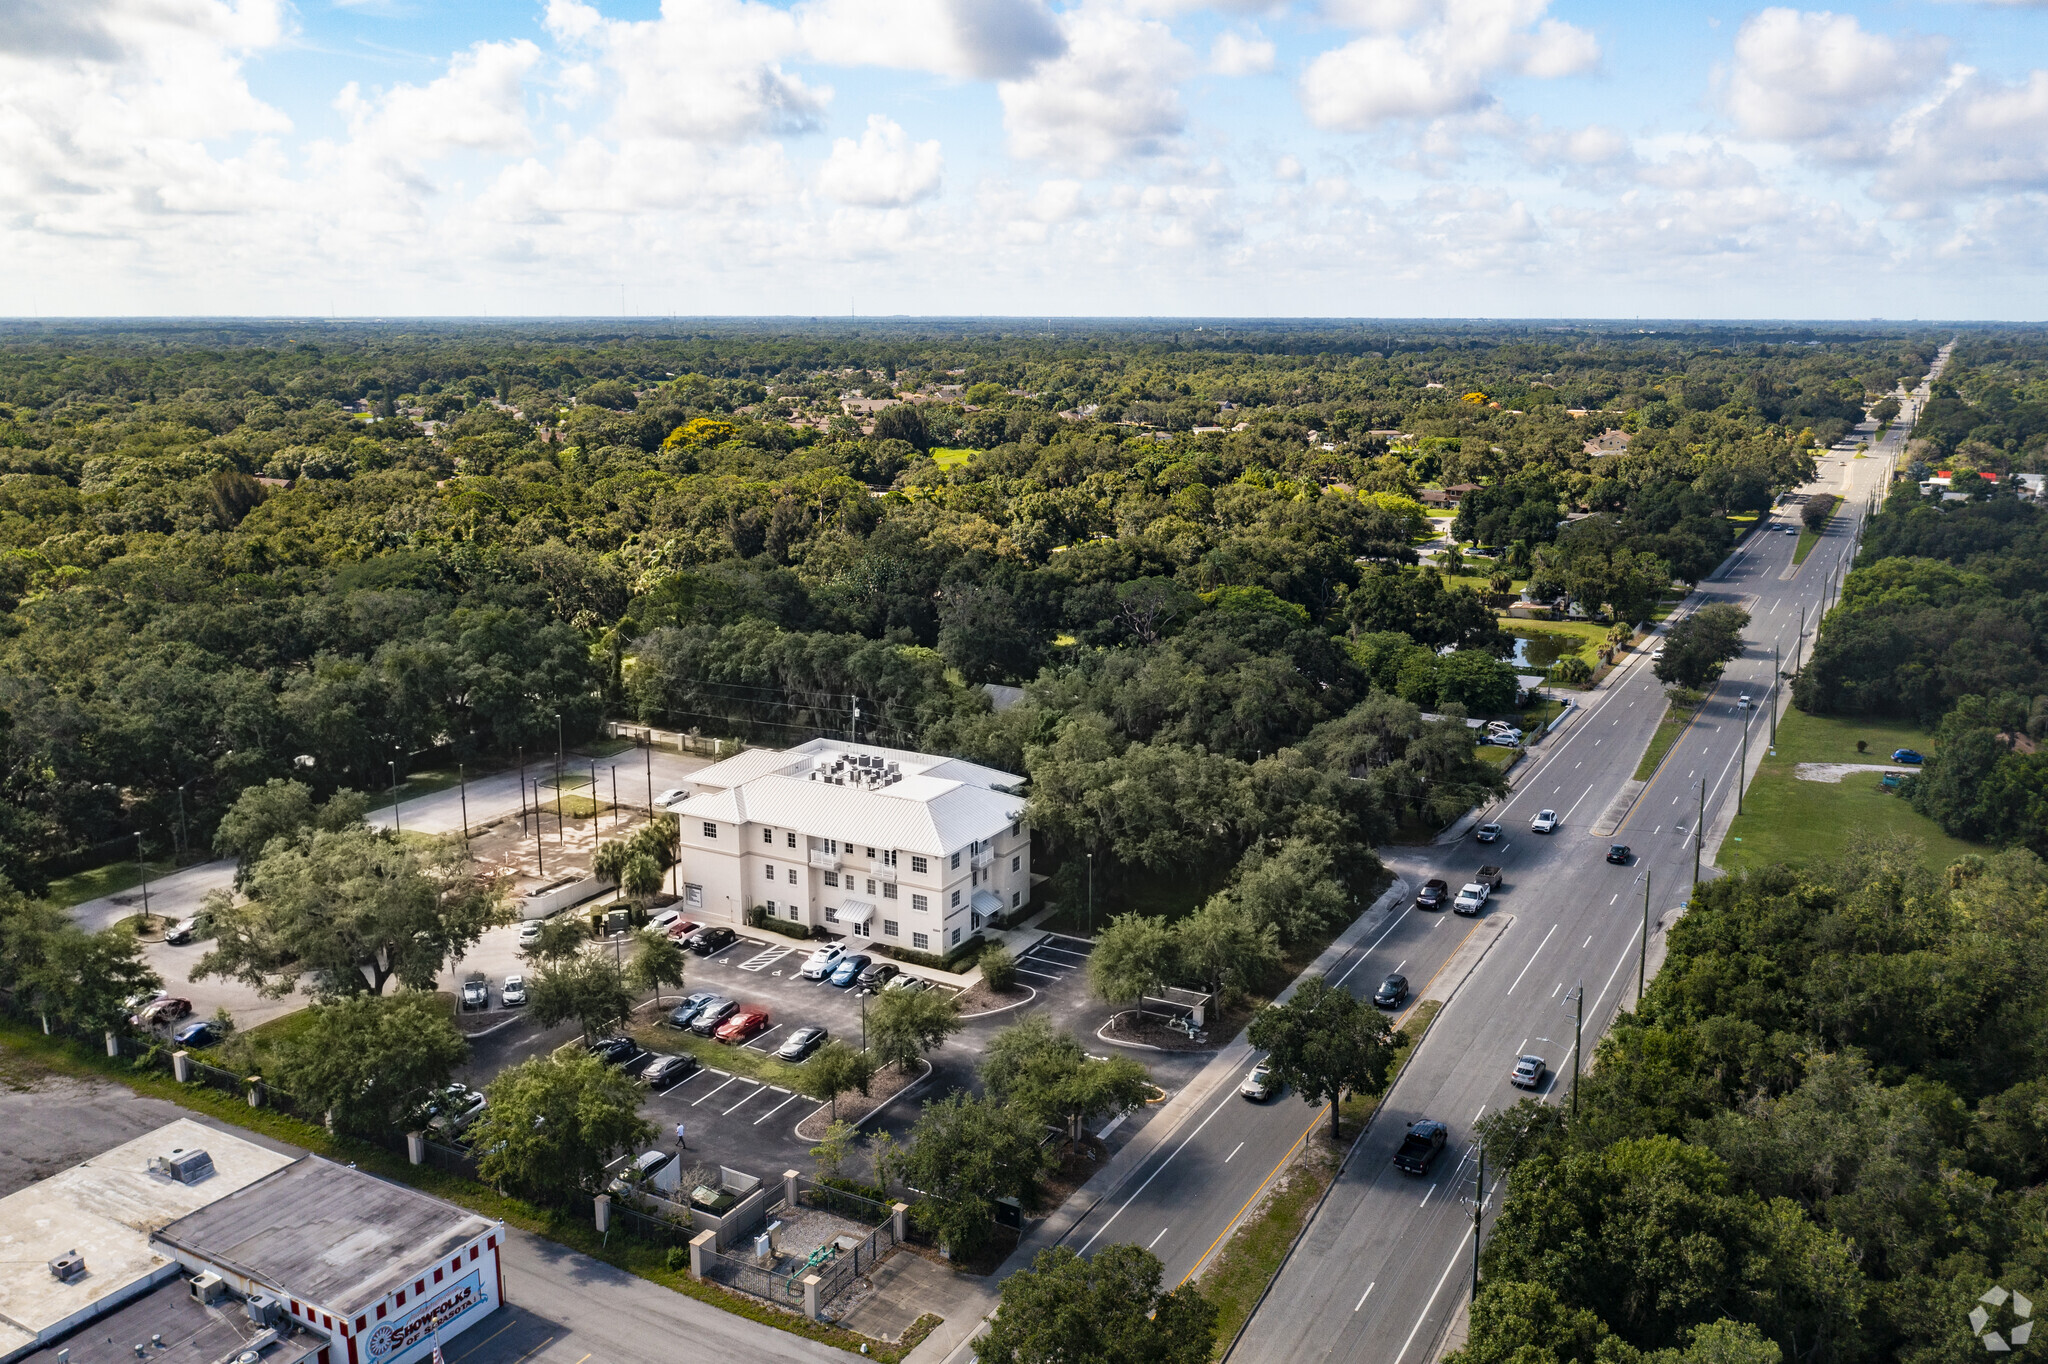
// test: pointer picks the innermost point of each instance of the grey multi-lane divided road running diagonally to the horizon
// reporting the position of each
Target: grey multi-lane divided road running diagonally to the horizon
(1388, 1261)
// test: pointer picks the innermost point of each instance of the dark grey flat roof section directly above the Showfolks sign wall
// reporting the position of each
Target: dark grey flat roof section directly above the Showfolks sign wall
(329, 1234)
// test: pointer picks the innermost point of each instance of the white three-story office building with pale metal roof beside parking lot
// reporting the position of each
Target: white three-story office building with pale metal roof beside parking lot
(871, 843)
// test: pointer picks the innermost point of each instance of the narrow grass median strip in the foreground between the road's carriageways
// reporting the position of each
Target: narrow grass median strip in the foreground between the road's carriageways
(1246, 1265)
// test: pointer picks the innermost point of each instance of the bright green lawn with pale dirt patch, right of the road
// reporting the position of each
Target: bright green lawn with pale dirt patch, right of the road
(1787, 820)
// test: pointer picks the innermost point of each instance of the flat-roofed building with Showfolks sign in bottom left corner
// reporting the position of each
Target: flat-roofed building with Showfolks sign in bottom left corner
(298, 1261)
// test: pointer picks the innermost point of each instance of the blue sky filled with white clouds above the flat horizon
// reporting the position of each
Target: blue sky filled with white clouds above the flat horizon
(1496, 159)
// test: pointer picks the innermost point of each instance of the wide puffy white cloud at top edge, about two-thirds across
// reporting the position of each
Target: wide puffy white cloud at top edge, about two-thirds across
(1433, 58)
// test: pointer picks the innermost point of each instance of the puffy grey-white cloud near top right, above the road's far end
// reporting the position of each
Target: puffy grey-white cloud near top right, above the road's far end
(1814, 77)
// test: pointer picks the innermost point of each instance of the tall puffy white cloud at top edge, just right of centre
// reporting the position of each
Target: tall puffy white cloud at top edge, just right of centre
(1109, 97)
